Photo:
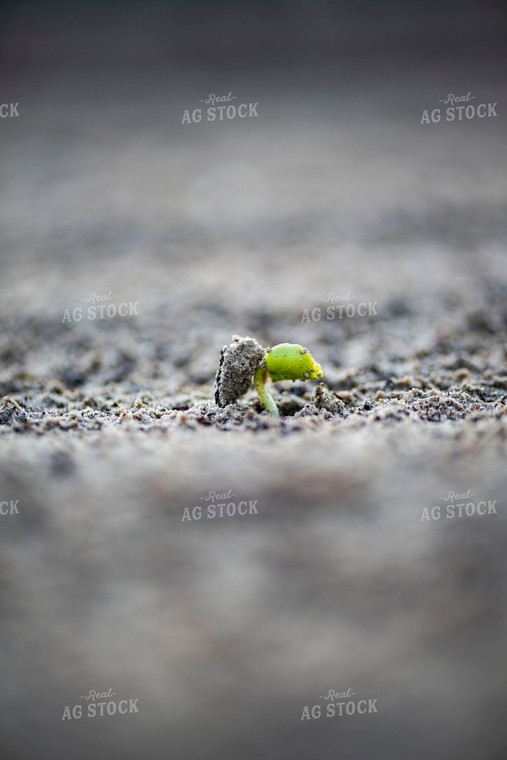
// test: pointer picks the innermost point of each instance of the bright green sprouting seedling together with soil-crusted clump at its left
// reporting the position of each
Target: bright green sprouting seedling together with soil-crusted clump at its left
(244, 357)
